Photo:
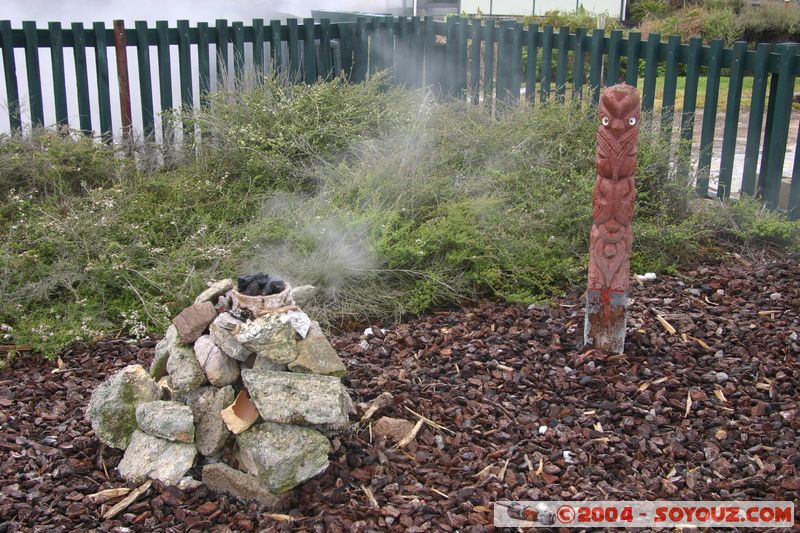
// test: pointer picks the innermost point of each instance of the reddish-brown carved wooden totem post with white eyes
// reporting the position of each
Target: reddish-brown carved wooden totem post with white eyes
(612, 211)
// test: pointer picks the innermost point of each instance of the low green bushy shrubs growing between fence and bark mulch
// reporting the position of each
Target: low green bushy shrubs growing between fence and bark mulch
(388, 201)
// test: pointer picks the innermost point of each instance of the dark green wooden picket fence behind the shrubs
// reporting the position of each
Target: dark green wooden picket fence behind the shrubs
(497, 62)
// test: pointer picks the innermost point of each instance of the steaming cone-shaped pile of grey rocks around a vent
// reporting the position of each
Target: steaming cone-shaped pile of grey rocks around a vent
(244, 389)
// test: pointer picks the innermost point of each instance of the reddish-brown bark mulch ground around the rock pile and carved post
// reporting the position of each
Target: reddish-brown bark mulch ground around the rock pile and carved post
(707, 412)
